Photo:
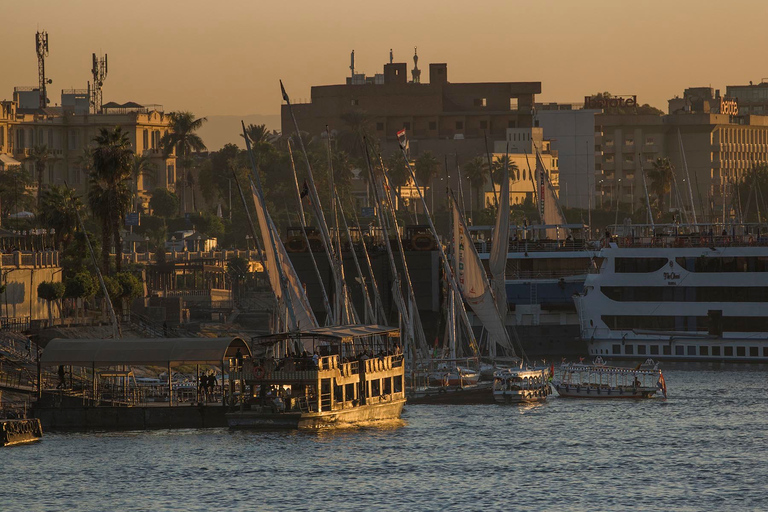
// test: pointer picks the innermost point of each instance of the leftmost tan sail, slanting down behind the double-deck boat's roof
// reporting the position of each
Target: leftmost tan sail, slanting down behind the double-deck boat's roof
(279, 267)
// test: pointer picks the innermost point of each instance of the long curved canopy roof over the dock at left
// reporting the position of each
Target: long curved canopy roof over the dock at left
(153, 351)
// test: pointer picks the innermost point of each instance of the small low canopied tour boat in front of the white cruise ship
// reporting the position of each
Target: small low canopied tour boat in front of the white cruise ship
(578, 380)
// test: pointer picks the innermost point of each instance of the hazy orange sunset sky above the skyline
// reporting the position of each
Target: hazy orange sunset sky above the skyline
(226, 56)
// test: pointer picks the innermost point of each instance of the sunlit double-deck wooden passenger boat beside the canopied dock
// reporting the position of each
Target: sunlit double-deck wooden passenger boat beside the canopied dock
(340, 384)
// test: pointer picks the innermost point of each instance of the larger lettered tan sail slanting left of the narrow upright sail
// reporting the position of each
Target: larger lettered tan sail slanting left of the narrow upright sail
(473, 282)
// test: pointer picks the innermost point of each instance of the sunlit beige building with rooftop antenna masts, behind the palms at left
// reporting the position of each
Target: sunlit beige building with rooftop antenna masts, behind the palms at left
(69, 129)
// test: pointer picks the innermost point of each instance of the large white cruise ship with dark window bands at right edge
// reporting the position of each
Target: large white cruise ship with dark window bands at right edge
(655, 291)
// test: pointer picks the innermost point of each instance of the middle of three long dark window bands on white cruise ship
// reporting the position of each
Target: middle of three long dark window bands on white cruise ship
(686, 293)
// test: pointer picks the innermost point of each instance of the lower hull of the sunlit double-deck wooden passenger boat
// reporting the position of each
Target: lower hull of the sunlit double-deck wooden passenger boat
(383, 411)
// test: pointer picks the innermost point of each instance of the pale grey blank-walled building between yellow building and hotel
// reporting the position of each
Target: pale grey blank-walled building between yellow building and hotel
(571, 131)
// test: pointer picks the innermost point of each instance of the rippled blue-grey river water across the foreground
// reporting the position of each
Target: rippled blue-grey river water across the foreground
(705, 448)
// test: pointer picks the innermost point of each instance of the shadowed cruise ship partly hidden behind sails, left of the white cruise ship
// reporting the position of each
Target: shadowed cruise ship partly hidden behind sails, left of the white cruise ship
(546, 266)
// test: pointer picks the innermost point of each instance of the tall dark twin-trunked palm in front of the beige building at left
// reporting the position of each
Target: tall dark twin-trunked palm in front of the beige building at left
(109, 196)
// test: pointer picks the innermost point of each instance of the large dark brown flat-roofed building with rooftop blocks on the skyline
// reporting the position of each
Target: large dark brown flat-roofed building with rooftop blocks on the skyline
(440, 116)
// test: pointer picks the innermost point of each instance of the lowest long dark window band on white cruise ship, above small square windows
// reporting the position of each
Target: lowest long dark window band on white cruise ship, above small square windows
(713, 324)
